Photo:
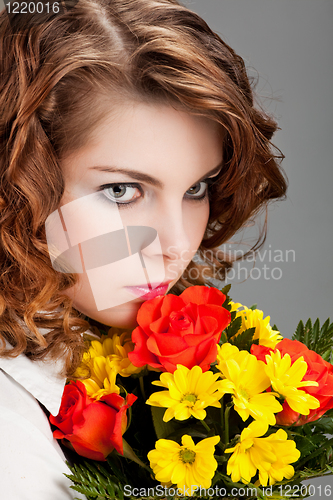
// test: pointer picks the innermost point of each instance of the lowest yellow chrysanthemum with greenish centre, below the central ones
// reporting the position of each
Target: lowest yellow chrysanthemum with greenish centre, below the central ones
(186, 465)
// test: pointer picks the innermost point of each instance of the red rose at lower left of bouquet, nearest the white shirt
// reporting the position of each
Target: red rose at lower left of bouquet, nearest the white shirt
(94, 428)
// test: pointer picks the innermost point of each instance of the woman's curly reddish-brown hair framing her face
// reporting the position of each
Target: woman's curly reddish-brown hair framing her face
(56, 72)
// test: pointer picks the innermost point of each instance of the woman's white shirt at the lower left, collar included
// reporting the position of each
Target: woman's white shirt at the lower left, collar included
(32, 464)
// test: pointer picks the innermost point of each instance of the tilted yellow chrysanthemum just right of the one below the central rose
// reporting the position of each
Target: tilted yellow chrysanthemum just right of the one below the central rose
(246, 380)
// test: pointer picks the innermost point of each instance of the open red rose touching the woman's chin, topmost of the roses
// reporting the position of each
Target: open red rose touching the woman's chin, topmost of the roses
(180, 330)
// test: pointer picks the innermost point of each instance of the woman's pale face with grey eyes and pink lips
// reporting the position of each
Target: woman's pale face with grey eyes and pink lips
(135, 206)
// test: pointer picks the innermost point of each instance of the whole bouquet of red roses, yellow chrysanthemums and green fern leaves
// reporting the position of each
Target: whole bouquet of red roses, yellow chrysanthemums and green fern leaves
(212, 400)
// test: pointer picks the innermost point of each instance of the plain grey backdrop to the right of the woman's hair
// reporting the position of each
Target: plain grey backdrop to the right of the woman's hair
(289, 43)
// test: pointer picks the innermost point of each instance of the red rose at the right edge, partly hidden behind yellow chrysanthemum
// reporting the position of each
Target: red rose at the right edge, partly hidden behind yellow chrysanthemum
(318, 370)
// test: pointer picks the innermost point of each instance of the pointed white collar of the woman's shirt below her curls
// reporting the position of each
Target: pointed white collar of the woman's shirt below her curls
(41, 379)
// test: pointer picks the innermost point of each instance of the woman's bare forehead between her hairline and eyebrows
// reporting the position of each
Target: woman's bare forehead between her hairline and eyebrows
(157, 141)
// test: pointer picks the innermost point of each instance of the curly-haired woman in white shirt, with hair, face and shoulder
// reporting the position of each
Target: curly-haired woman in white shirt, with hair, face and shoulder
(129, 145)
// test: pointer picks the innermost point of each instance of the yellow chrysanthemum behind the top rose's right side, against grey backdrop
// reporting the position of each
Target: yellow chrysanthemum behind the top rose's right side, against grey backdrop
(264, 333)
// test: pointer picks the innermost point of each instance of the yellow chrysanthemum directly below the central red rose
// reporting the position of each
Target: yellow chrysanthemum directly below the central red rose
(189, 392)
